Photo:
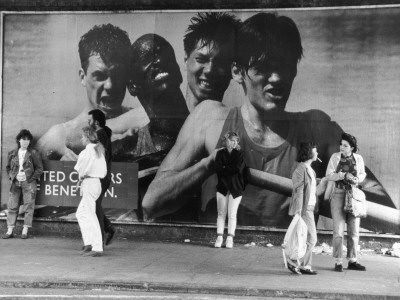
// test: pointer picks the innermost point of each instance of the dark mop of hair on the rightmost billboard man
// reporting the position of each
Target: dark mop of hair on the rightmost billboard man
(268, 38)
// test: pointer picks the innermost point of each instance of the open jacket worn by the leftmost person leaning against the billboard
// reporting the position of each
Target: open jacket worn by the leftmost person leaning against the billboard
(32, 165)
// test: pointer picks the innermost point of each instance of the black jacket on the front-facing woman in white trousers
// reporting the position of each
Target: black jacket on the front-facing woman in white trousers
(229, 168)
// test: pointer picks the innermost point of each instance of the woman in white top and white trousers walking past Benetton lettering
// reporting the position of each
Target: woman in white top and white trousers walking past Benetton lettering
(91, 166)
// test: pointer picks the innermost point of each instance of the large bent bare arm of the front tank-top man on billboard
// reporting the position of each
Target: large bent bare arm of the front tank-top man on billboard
(189, 162)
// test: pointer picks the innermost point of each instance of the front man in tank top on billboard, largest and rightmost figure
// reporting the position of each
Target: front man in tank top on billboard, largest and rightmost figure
(267, 53)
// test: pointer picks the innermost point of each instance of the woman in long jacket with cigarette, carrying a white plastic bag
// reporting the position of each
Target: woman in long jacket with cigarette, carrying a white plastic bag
(304, 202)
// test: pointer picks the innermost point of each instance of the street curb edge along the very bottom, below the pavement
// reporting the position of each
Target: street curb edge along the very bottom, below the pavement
(194, 289)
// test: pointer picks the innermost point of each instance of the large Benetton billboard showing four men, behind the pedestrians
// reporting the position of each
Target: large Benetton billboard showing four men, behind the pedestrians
(172, 83)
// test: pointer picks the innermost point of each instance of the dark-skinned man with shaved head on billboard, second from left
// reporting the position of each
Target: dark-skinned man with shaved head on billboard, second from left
(155, 79)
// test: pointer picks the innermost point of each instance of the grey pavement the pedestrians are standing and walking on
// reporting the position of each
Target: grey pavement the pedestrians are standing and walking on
(189, 268)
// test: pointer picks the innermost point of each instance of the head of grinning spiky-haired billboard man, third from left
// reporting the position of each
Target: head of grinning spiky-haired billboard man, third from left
(209, 47)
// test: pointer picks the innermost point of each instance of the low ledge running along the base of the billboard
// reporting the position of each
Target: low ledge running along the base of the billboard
(261, 235)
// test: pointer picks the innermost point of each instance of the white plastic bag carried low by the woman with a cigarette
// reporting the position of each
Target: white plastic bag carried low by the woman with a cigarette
(295, 241)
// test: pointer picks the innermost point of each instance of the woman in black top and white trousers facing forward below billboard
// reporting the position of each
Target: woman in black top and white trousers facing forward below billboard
(229, 165)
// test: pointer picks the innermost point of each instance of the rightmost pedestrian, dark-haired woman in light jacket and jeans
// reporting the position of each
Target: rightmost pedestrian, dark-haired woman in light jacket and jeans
(345, 168)
